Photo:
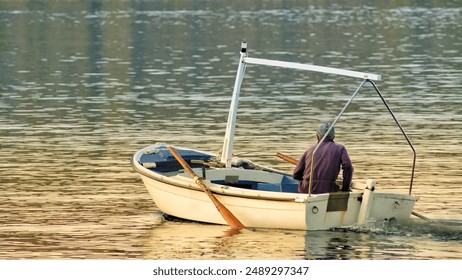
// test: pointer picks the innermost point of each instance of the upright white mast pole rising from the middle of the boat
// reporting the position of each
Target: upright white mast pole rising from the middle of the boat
(227, 151)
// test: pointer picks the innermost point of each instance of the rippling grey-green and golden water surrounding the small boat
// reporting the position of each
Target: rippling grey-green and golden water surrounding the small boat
(85, 84)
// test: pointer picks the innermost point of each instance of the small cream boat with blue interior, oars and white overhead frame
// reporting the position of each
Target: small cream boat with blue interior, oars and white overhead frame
(219, 188)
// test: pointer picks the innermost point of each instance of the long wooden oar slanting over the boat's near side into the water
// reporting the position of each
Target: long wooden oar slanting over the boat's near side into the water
(232, 221)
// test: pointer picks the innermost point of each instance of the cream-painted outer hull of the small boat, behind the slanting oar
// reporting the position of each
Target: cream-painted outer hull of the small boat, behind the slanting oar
(305, 214)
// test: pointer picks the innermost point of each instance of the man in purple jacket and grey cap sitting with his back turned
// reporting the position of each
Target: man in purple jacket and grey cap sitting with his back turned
(329, 158)
